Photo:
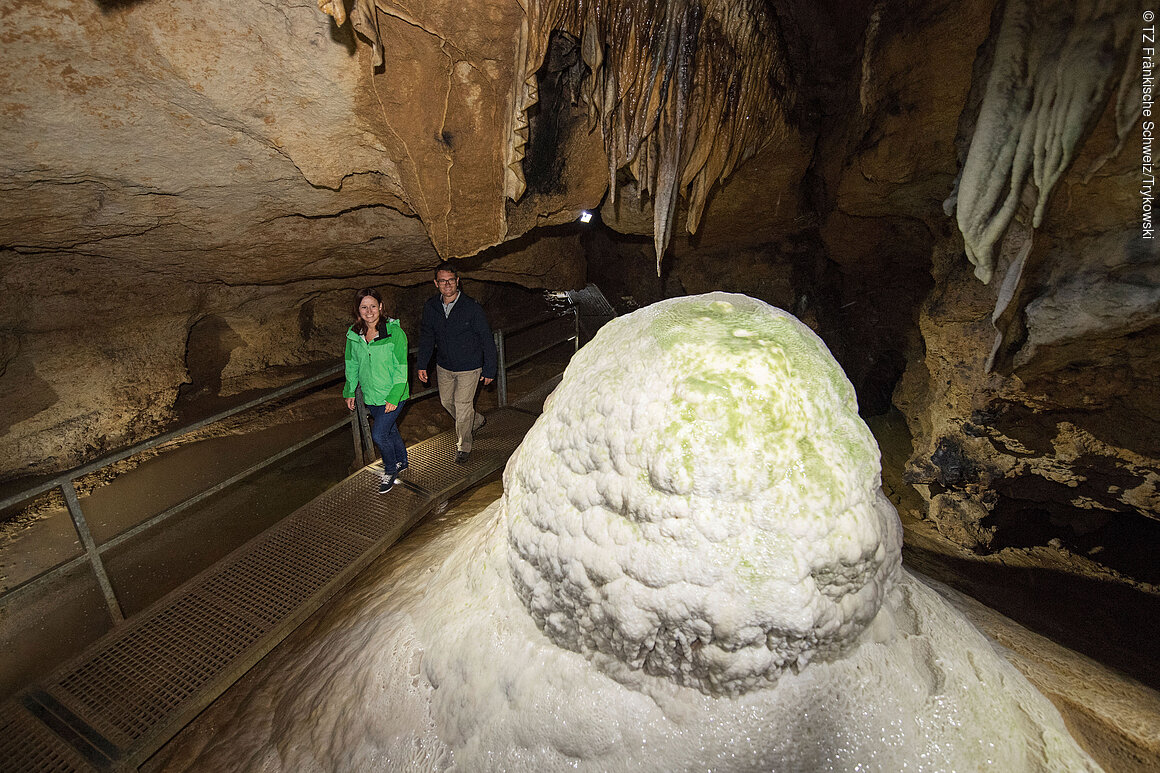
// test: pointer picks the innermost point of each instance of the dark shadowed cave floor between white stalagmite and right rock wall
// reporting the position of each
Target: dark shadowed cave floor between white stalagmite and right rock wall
(1071, 599)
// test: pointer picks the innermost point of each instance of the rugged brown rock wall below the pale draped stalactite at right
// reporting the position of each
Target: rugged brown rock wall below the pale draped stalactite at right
(1047, 424)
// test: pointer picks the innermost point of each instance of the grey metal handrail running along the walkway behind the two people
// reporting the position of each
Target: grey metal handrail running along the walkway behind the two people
(365, 451)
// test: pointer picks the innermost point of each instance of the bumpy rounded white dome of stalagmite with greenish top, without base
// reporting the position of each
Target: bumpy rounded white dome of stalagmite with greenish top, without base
(702, 501)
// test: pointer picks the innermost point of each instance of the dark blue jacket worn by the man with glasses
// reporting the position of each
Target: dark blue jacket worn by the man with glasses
(461, 342)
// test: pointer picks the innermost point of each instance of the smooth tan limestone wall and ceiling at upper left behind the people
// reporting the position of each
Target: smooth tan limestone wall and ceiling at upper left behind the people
(173, 169)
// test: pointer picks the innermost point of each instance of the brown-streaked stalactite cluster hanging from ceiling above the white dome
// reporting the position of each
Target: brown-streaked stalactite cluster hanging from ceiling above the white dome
(683, 92)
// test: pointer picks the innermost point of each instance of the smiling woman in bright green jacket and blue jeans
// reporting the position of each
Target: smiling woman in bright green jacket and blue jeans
(378, 362)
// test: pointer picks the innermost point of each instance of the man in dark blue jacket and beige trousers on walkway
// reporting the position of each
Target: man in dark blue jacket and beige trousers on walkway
(455, 328)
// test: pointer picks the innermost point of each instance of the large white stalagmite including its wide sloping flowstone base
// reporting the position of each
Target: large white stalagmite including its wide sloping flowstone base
(692, 568)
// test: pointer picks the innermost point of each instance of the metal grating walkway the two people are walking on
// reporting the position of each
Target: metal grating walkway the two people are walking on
(122, 699)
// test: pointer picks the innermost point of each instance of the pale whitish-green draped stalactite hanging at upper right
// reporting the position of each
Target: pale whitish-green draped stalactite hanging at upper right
(1056, 66)
